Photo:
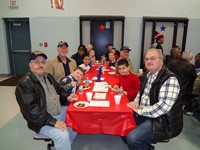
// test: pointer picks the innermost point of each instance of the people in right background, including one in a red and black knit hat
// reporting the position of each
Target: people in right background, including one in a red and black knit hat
(189, 74)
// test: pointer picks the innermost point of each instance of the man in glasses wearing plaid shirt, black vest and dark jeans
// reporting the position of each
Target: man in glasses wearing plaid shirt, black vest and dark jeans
(157, 106)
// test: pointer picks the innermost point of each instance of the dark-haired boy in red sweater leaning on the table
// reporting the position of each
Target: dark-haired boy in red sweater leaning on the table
(127, 80)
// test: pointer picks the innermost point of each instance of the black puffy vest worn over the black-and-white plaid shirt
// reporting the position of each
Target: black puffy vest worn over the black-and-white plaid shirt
(170, 124)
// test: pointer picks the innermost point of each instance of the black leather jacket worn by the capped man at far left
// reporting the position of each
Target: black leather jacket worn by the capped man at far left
(31, 98)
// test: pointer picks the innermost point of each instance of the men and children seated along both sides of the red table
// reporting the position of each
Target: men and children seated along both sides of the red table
(49, 86)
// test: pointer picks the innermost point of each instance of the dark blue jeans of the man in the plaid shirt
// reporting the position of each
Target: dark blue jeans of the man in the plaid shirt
(138, 138)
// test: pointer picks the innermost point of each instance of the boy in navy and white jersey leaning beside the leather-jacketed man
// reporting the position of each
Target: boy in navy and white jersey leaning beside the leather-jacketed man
(71, 82)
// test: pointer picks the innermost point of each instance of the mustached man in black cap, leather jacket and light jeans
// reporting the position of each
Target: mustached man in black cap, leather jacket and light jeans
(40, 100)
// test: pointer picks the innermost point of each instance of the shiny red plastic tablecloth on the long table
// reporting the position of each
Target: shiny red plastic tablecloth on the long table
(115, 120)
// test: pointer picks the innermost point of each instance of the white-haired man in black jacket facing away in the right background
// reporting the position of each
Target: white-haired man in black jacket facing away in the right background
(185, 71)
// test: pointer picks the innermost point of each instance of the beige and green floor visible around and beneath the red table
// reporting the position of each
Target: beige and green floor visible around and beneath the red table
(16, 136)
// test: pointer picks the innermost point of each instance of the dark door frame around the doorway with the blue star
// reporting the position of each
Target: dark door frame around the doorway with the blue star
(175, 20)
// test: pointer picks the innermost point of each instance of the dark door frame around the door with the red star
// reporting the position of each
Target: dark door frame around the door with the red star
(101, 18)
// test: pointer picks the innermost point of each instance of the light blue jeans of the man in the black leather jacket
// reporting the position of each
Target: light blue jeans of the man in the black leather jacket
(62, 139)
